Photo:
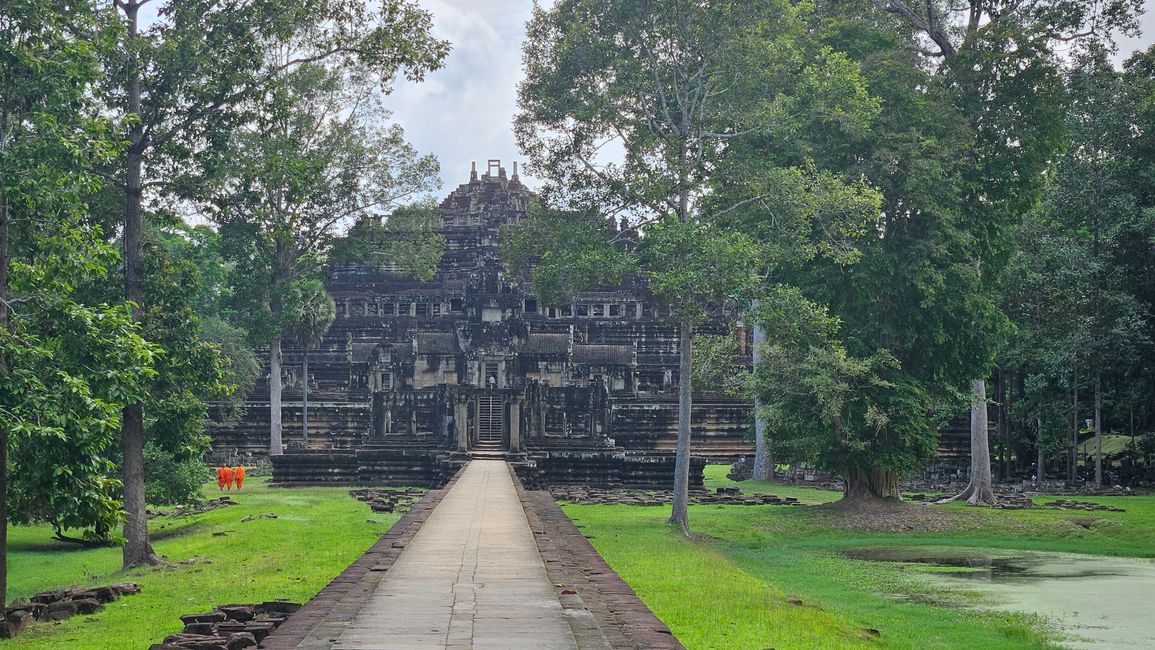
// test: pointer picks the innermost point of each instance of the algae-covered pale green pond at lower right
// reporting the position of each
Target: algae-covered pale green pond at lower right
(1098, 602)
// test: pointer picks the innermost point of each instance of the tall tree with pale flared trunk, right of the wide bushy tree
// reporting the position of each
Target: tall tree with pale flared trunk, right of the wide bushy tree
(1001, 66)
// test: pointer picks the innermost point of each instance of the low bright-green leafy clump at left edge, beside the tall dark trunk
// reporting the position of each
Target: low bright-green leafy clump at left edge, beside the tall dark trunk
(72, 380)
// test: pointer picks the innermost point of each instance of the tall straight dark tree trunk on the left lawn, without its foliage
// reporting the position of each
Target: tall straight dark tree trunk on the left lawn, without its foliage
(138, 550)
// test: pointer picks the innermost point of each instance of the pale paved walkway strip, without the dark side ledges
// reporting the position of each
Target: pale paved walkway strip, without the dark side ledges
(471, 578)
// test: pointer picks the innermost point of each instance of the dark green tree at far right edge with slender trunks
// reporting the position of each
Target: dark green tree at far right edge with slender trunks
(1089, 219)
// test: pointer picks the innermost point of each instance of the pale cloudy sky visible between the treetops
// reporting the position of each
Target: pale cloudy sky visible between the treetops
(464, 113)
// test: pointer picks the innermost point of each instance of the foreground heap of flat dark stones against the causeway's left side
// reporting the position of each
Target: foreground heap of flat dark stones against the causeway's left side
(229, 627)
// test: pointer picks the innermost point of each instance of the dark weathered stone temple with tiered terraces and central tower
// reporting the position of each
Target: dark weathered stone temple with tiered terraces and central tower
(415, 377)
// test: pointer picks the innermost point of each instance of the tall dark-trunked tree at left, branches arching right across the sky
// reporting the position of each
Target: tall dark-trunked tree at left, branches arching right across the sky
(183, 79)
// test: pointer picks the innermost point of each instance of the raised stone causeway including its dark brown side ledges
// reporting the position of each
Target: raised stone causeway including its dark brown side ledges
(480, 565)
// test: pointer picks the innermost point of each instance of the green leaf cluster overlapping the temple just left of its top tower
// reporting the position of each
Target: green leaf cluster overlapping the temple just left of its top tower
(405, 242)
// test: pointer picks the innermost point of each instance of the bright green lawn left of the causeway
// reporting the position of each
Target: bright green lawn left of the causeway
(317, 534)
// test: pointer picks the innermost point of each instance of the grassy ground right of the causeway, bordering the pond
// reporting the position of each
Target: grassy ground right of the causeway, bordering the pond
(772, 577)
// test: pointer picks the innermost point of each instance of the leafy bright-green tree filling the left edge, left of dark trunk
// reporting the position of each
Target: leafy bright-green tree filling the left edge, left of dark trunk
(51, 399)
